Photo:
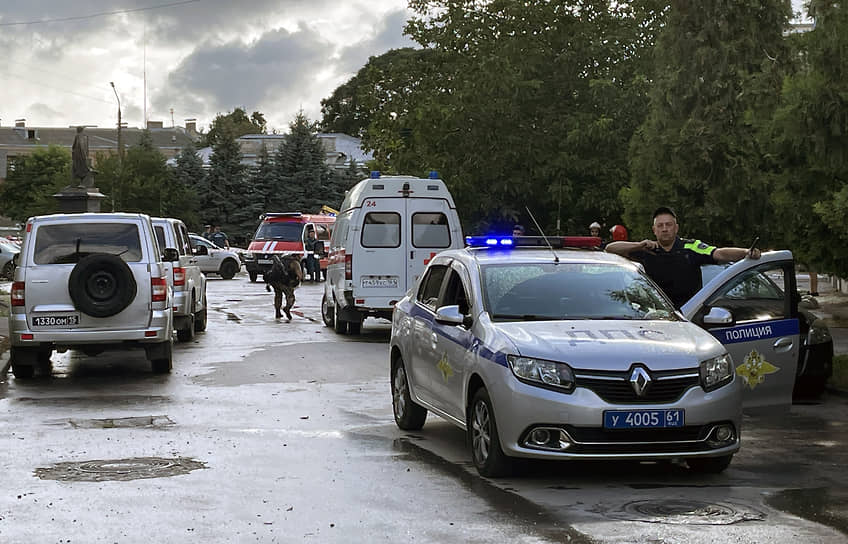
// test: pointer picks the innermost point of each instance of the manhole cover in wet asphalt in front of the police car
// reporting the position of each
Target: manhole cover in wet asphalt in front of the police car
(686, 512)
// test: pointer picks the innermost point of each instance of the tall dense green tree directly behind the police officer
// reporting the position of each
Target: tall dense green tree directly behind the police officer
(719, 67)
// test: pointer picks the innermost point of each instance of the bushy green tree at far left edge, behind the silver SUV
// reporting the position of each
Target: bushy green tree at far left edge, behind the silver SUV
(33, 180)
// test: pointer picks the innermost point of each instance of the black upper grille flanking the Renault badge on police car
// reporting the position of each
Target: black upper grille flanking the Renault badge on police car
(615, 387)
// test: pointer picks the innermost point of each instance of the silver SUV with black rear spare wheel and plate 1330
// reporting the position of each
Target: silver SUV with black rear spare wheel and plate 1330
(92, 282)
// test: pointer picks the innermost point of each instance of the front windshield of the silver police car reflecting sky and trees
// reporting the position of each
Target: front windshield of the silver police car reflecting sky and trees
(567, 291)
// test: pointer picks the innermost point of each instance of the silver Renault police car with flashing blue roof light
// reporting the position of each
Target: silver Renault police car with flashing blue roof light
(541, 350)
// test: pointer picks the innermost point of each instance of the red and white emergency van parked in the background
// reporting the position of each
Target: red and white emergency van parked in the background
(285, 233)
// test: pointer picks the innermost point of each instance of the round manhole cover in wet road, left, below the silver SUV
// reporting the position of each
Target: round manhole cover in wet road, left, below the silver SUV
(118, 469)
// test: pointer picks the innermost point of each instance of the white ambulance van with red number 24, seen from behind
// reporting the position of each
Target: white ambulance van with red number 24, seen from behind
(387, 230)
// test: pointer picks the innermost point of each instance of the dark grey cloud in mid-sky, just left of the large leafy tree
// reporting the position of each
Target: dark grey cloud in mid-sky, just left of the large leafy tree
(238, 75)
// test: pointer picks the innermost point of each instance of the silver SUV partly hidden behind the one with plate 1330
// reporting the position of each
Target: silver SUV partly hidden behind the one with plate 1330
(184, 276)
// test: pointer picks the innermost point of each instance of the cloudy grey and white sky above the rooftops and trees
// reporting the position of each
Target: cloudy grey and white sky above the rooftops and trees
(201, 57)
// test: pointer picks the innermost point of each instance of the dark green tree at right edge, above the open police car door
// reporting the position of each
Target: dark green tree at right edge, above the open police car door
(809, 144)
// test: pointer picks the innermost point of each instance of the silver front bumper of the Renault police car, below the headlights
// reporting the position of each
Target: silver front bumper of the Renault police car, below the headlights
(579, 416)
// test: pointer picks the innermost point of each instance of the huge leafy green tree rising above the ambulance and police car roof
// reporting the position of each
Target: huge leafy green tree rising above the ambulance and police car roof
(515, 104)
